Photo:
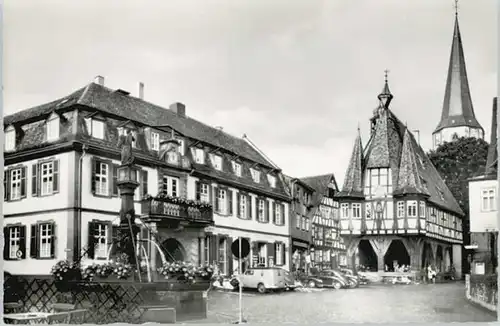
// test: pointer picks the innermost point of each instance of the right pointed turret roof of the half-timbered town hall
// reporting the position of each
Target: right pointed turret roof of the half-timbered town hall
(409, 180)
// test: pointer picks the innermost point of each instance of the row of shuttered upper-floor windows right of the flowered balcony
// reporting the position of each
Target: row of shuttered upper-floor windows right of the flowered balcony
(223, 204)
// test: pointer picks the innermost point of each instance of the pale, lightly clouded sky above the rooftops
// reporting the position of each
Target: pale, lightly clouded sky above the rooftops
(298, 77)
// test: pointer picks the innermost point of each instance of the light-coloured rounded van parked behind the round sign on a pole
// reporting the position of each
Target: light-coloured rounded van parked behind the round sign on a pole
(264, 279)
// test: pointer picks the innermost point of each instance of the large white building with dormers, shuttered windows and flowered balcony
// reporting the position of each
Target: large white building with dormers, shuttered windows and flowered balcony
(200, 188)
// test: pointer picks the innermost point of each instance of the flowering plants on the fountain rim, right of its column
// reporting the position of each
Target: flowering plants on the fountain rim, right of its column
(185, 271)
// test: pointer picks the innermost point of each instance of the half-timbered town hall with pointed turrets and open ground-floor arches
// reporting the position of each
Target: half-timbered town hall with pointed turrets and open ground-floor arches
(394, 207)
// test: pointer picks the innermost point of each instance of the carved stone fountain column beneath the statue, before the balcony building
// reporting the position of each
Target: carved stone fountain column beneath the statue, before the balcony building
(127, 232)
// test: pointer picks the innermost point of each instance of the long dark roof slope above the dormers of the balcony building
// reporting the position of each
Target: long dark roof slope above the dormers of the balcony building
(116, 103)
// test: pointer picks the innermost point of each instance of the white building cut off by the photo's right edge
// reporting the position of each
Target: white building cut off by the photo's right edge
(483, 210)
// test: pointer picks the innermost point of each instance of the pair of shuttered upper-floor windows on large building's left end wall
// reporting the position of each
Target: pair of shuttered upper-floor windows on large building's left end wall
(44, 180)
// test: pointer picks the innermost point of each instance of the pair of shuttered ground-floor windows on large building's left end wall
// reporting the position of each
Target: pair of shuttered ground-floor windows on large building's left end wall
(41, 241)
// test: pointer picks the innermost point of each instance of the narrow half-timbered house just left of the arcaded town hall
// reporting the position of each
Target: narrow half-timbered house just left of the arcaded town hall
(329, 248)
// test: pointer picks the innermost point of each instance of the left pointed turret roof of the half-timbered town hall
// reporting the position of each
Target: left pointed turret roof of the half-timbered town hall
(353, 182)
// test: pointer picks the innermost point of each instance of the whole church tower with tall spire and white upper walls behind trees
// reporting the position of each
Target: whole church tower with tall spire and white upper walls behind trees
(457, 118)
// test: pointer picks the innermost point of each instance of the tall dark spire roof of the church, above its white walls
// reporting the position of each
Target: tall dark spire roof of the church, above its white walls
(457, 105)
